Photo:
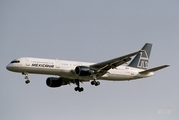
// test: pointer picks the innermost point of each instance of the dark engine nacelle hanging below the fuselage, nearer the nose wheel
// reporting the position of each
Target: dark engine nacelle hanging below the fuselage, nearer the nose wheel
(55, 82)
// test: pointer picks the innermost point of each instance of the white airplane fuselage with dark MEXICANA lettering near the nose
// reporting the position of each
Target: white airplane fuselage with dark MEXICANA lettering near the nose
(66, 69)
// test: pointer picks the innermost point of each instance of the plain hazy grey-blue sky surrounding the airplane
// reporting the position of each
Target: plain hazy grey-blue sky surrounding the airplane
(92, 31)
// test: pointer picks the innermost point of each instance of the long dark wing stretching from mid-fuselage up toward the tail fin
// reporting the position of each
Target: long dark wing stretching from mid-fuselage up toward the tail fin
(103, 67)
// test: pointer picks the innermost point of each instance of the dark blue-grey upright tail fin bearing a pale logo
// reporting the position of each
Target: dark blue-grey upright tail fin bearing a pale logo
(142, 59)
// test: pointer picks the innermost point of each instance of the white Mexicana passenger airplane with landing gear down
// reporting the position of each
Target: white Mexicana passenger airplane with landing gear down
(67, 72)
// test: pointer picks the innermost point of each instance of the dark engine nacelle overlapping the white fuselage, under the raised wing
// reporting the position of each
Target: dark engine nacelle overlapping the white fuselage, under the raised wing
(83, 71)
